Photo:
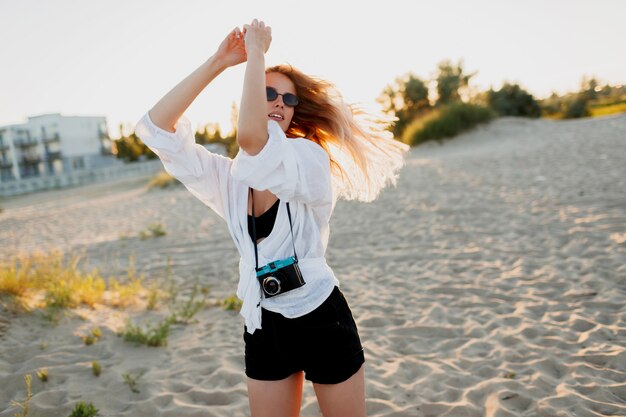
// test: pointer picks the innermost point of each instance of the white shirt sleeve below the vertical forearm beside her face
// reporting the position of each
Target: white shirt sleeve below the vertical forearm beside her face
(291, 168)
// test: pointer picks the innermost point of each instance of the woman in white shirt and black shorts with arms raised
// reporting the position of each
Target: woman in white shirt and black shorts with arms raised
(300, 148)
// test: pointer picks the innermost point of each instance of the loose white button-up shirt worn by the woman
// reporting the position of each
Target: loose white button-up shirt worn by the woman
(296, 170)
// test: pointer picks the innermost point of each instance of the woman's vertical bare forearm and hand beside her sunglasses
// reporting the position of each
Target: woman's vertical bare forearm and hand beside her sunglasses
(252, 124)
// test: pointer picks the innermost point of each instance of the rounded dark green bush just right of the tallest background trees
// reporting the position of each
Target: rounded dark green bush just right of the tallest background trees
(512, 100)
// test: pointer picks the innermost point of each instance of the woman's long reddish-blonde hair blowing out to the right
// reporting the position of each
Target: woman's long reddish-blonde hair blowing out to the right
(364, 156)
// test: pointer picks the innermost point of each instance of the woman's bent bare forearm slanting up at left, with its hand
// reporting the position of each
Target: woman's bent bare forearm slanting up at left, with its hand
(168, 110)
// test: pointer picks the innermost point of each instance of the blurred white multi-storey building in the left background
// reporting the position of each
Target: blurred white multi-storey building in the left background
(51, 144)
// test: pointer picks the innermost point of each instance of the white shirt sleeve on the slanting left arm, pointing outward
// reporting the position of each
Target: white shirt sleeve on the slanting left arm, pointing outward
(203, 173)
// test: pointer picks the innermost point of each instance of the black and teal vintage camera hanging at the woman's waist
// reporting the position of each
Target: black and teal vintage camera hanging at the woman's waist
(278, 277)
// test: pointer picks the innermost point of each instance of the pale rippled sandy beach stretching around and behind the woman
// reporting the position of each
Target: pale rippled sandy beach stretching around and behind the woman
(490, 282)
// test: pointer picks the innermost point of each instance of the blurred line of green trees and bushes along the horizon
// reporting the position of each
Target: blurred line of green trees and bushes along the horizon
(433, 108)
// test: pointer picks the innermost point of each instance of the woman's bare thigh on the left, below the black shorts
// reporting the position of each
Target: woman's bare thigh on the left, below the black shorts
(276, 398)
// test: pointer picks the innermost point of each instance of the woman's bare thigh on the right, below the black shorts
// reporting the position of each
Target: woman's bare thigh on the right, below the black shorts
(346, 399)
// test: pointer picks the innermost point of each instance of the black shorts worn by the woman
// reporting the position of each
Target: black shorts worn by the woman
(324, 343)
